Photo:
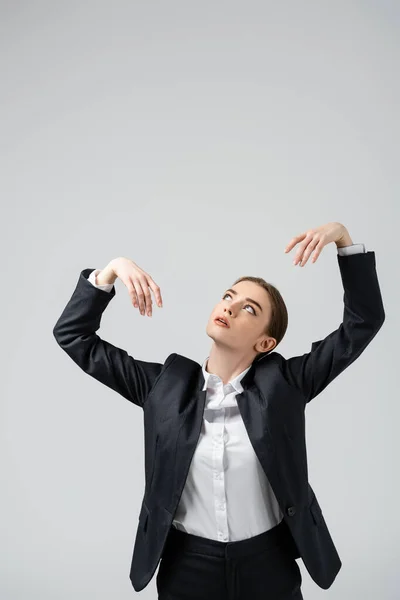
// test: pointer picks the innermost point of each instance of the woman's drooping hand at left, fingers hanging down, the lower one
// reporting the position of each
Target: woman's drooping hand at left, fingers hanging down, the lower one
(138, 283)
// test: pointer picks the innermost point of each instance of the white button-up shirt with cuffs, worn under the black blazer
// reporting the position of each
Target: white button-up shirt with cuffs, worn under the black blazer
(227, 496)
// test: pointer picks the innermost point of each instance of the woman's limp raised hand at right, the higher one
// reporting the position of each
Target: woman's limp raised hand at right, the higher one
(314, 240)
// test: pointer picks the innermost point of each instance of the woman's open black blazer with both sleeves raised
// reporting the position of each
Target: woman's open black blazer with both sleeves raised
(272, 405)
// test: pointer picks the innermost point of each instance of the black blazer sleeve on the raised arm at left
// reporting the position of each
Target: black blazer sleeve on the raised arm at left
(75, 333)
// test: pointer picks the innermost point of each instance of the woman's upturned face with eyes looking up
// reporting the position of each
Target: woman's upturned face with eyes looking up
(246, 306)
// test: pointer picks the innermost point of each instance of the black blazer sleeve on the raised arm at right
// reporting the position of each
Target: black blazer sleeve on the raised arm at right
(363, 316)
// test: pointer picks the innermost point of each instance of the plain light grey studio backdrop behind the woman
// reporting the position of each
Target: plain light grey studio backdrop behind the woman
(196, 138)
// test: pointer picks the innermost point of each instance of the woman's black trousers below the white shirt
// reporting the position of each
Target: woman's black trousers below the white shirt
(262, 567)
